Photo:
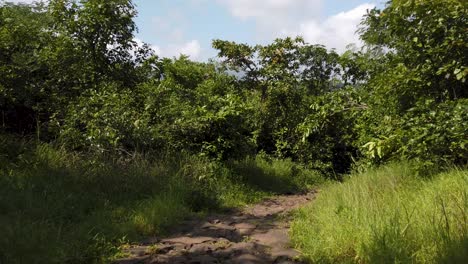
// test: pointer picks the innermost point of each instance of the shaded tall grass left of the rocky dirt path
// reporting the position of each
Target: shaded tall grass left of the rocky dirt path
(58, 206)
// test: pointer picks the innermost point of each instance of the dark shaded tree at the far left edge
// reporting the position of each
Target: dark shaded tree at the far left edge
(23, 34)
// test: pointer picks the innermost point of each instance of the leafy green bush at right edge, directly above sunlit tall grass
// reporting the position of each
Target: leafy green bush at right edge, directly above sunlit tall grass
(430, 133)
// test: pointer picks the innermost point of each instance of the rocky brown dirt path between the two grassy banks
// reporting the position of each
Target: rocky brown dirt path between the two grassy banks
(257, 234)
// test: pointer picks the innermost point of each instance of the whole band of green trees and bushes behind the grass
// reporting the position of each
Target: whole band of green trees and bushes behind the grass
(71, 73)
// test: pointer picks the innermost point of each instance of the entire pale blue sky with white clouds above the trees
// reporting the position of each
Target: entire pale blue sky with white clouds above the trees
(174, 27)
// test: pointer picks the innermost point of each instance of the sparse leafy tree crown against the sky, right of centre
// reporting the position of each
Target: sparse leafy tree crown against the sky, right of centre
(285, 60)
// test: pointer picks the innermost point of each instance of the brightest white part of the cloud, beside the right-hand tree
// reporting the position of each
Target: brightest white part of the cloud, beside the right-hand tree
(336, 31)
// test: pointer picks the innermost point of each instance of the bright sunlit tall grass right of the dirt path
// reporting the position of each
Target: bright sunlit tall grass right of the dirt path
(387, 215)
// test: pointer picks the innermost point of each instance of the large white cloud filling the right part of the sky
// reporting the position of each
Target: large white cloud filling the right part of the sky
(281, 18)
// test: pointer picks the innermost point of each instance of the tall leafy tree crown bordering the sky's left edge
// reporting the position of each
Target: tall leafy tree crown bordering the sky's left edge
(101, 34)
